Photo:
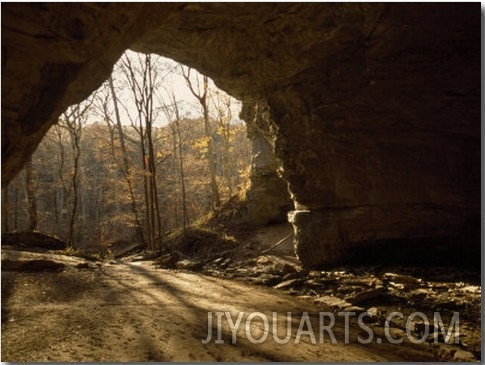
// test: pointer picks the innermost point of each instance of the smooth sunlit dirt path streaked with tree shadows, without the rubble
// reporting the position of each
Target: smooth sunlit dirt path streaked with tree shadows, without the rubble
(133, 312)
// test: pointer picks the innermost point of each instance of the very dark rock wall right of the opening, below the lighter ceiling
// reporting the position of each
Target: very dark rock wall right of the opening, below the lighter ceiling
(398, 138)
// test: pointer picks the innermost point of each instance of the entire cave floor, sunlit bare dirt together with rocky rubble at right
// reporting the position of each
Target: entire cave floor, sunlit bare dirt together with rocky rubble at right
(132, 310)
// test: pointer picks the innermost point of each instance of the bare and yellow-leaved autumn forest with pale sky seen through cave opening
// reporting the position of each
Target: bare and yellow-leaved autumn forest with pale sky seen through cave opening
(154, 149)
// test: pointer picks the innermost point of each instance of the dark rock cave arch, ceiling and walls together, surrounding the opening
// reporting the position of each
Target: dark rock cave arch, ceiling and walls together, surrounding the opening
(369, 112)
